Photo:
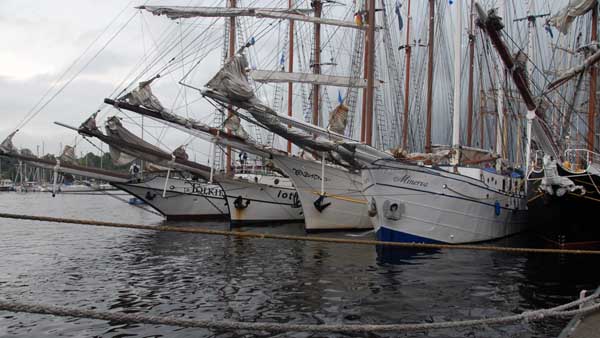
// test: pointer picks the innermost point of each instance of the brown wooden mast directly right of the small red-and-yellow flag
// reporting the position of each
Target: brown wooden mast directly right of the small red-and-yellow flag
(370, 73)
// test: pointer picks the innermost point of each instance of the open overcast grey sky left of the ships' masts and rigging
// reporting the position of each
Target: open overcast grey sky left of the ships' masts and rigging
(41, 39)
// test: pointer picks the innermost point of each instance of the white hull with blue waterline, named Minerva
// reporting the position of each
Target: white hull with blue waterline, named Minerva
(421, 204)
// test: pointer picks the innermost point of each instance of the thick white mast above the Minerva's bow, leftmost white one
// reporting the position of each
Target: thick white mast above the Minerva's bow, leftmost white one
(457, 63)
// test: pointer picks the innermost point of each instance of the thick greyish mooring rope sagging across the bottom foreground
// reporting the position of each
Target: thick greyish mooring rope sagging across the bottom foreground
(120, 317)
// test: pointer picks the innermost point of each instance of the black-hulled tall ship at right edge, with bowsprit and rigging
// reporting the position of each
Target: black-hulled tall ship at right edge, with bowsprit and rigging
(557, 82)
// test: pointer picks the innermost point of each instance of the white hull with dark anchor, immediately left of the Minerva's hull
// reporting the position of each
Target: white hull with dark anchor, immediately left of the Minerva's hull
(343, 190)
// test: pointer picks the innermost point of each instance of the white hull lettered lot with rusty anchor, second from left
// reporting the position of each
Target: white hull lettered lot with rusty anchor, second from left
(261, 201)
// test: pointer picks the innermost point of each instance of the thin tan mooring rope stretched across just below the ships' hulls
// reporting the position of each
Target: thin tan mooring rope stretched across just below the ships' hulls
(248, 234)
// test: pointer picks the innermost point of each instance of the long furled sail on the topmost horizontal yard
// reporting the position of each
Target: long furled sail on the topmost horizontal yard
(179, 12)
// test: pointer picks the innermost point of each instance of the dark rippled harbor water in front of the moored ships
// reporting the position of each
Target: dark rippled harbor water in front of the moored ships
(193, 276)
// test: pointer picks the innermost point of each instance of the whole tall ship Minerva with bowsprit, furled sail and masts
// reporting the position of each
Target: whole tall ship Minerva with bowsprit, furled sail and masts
(451, 194)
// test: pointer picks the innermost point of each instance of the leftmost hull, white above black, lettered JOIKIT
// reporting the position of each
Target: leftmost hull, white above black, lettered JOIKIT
(184, 200)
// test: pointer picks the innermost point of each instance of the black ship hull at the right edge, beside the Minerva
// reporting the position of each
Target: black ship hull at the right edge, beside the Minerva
(569, 221)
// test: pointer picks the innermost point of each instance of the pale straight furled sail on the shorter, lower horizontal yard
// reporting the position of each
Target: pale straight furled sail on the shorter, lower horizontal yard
(268, 76)
